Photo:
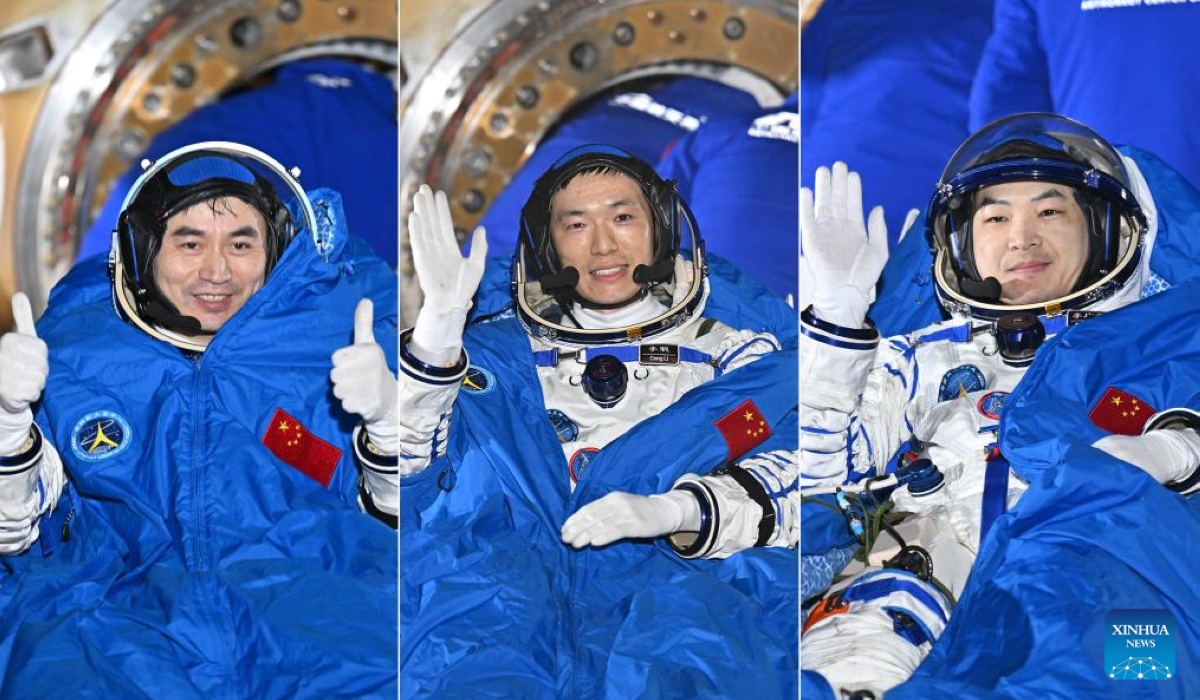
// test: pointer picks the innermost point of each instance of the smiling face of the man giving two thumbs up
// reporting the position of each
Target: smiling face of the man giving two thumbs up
(213, 259)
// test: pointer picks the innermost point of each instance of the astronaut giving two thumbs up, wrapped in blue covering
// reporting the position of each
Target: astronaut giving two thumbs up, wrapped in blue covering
(208, 471)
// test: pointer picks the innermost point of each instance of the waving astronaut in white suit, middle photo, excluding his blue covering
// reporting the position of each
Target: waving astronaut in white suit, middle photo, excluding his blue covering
(613, 313)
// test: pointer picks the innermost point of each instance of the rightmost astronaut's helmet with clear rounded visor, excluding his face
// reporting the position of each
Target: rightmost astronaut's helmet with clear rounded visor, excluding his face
(1035, 147)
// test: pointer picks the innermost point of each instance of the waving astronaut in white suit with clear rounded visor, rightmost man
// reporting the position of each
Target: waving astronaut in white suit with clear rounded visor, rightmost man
(1037, 224)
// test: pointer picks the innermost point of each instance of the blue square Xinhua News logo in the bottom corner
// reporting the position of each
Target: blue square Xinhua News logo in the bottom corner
(1139, 645)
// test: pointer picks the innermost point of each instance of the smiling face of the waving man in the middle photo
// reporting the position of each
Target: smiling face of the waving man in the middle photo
(602, 226)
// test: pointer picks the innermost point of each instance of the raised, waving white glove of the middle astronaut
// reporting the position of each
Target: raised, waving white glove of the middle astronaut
(448, 280)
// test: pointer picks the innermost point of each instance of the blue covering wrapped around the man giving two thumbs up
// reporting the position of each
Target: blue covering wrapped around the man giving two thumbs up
(187, 559)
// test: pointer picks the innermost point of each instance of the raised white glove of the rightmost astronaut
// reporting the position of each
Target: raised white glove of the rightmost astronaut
(841, 256)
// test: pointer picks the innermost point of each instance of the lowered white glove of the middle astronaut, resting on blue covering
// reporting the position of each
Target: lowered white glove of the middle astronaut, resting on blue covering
(621, 516)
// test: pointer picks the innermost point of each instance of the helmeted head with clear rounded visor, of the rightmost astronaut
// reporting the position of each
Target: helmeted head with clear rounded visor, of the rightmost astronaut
(1067, 267)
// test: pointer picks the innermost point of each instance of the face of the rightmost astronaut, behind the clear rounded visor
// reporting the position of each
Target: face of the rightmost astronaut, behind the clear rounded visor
(1031, 237)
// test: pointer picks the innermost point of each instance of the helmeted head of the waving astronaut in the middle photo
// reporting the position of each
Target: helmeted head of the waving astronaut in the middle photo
(601, 252)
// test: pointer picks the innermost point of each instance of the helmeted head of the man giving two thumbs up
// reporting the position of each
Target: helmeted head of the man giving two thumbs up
(197, 237)
